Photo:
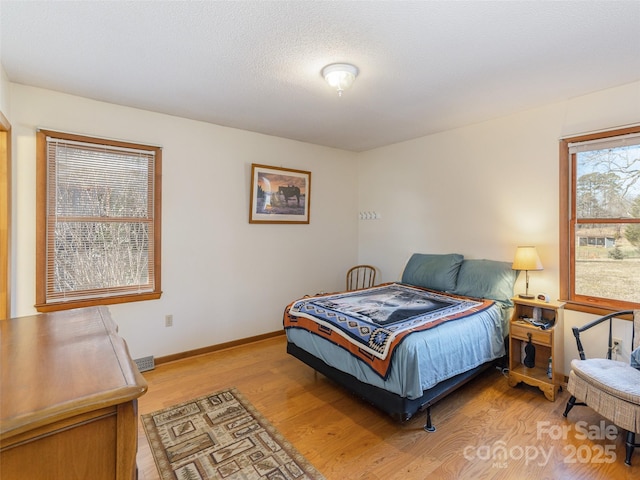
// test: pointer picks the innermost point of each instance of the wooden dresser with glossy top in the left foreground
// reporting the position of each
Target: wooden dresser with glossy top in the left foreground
(68, 398)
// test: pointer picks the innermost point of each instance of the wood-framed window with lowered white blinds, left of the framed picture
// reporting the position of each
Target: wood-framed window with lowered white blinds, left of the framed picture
(98, 223)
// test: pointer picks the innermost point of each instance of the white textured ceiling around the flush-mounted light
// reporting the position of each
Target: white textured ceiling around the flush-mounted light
(425, 66)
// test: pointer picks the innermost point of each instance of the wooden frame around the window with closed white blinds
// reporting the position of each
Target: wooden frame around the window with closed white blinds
(43, 304)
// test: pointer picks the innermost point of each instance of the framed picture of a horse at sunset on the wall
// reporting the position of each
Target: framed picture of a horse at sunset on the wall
(279, 195)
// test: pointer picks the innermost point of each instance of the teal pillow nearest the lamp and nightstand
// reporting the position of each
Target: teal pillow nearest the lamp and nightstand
(486, 279)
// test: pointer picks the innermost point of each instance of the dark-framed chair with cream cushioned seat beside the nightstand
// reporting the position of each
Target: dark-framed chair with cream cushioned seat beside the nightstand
(609, 387)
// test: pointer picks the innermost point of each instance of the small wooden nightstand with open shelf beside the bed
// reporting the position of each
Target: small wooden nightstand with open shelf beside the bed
(547, 343)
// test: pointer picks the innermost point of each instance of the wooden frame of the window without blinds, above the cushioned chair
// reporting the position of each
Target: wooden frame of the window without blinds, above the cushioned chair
(582, 303)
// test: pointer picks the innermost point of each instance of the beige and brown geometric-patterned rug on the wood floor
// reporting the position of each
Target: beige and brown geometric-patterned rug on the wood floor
(221, 436)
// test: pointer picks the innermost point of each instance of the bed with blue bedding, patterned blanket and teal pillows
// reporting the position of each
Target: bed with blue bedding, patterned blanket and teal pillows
(403, 346)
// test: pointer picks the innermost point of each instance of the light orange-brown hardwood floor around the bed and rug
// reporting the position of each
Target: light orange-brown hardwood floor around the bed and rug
(347, 439)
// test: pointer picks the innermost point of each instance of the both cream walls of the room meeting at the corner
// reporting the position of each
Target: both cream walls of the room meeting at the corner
(479, 190)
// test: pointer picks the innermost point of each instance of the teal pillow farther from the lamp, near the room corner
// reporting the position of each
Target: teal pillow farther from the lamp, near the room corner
(433, 271)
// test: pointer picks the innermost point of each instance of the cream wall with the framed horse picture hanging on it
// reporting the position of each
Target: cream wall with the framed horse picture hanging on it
(223, 279)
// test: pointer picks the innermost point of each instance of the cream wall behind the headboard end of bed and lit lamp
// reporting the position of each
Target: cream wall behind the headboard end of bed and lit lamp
(482, 190)
